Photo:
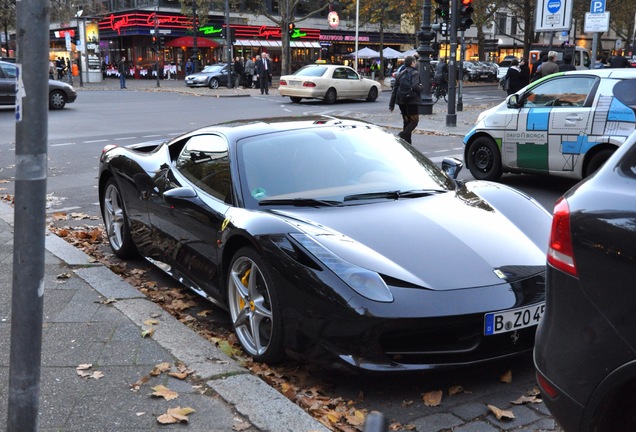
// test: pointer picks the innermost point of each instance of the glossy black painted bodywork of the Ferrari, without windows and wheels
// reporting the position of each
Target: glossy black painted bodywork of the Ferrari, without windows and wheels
(196, 235)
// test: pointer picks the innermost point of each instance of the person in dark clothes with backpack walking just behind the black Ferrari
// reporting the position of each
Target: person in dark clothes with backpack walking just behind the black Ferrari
(406, 93)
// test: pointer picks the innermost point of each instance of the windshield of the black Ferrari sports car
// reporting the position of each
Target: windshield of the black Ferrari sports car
(334, 164)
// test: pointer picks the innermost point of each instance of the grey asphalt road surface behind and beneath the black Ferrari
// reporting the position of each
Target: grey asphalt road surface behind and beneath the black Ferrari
(78, 133)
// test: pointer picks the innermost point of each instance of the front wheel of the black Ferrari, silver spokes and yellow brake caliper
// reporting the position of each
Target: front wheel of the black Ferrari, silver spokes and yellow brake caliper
(253, 304)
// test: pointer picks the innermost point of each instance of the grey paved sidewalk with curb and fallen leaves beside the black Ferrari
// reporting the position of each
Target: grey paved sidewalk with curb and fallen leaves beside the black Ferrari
(92, 317)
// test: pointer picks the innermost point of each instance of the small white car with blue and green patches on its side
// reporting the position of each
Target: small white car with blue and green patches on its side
(566, 124)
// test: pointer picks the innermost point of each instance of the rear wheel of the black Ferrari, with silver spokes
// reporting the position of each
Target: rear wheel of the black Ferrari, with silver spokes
(116, 222)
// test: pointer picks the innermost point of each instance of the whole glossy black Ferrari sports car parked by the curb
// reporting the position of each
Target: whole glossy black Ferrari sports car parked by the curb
(333, 239)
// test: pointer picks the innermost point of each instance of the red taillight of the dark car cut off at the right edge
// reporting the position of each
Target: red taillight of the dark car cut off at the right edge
(561, 250)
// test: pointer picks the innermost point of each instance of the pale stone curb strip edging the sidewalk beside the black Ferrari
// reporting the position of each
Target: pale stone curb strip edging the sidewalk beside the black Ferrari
(266, 408)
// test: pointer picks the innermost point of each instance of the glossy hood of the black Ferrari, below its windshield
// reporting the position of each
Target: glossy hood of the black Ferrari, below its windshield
(438, 242)
